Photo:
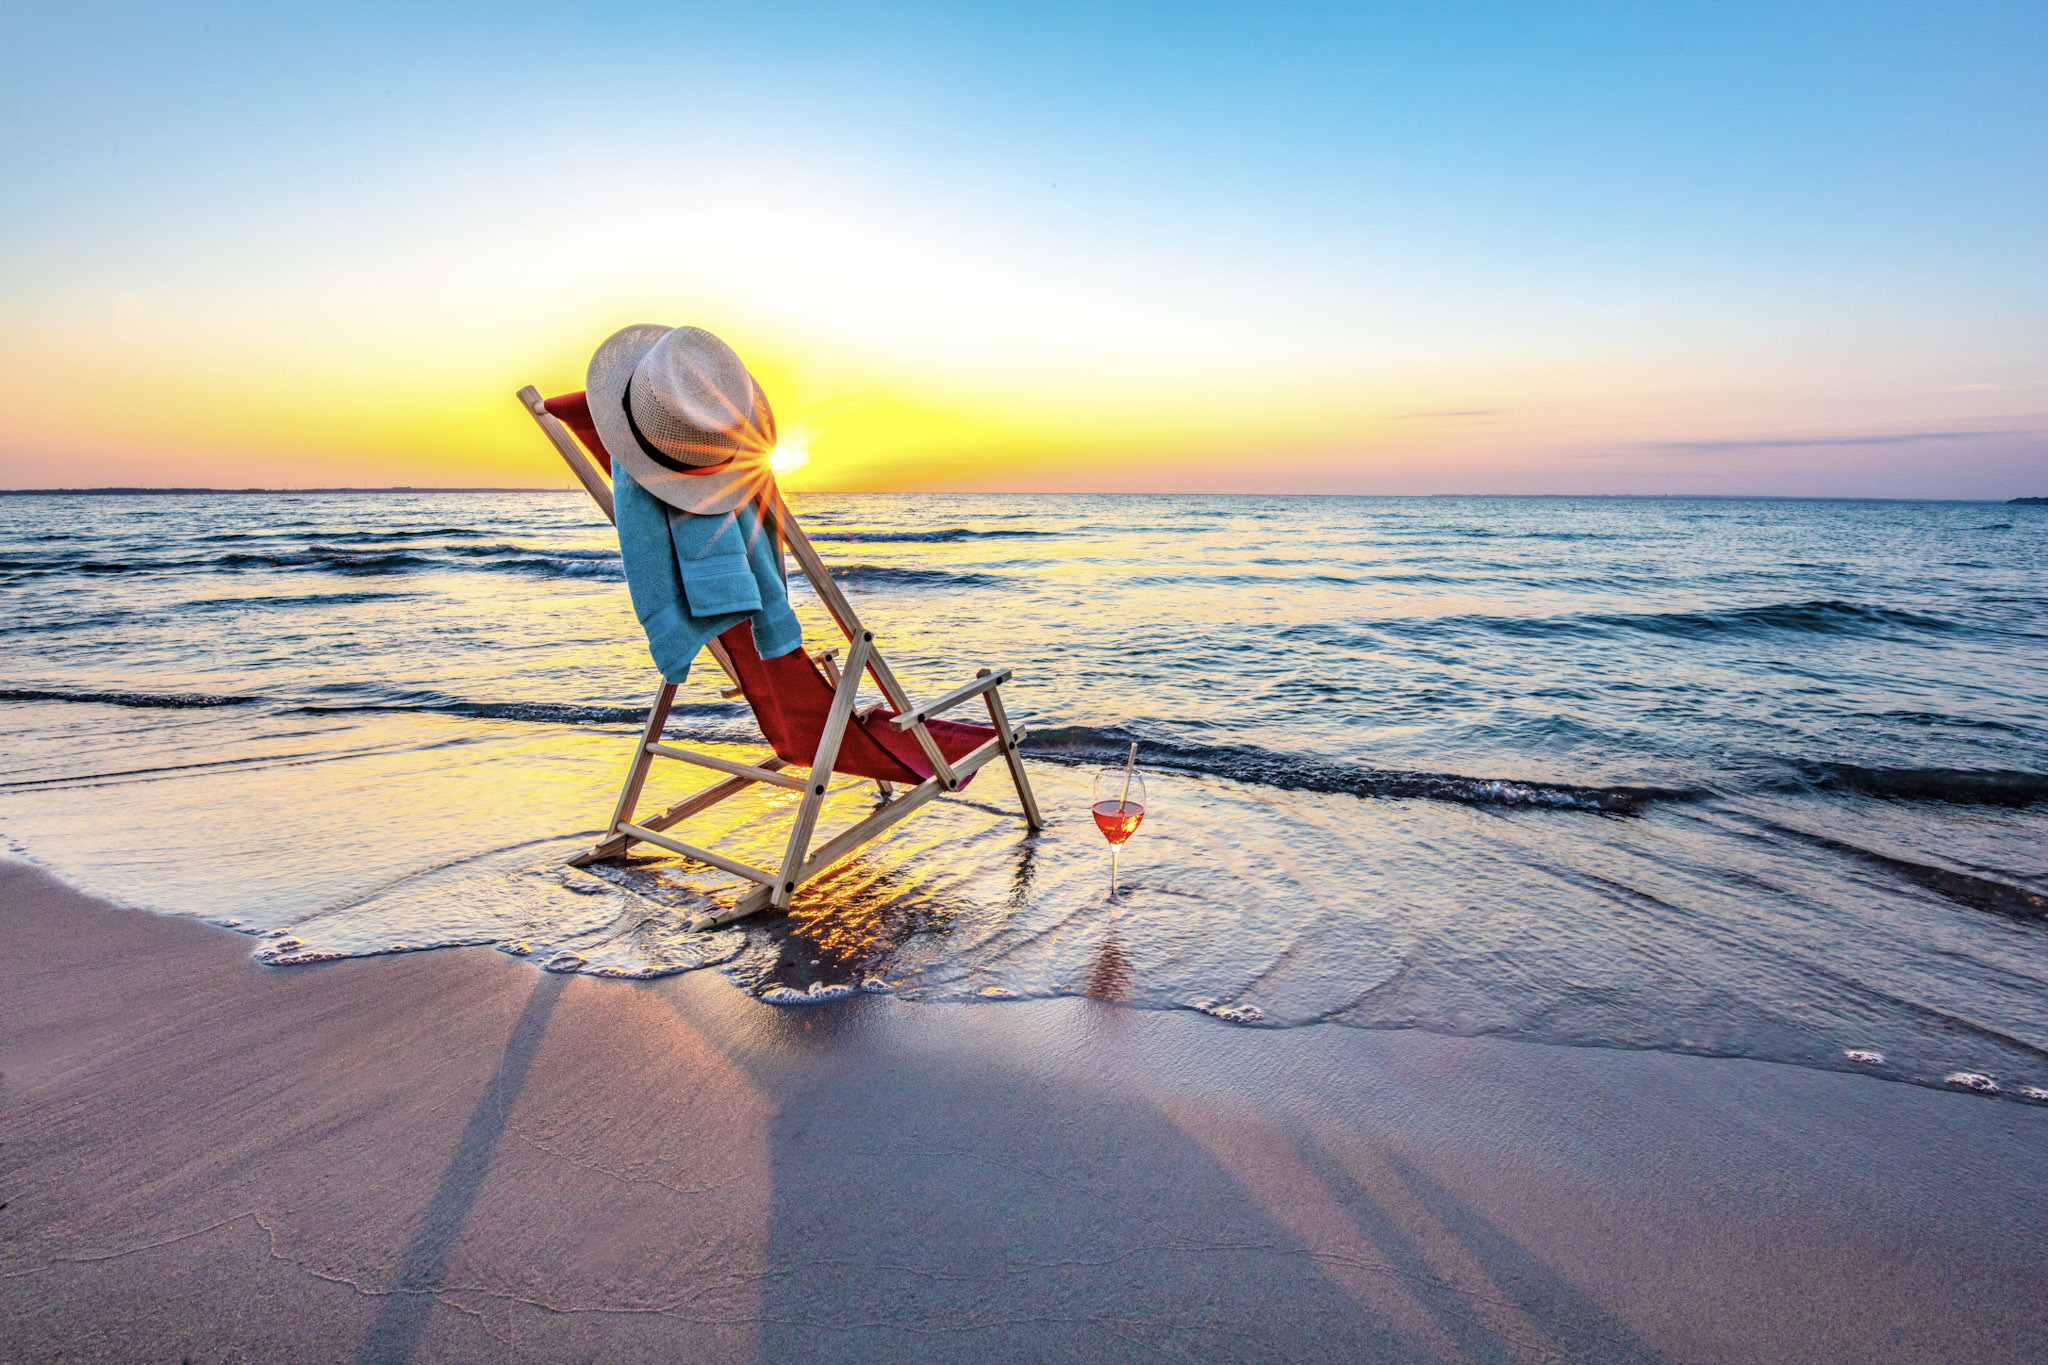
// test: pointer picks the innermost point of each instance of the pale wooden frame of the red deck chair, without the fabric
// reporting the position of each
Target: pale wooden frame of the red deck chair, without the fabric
(863, 660)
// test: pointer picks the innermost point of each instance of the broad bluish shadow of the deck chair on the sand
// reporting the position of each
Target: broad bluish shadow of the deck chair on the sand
(947, 1210)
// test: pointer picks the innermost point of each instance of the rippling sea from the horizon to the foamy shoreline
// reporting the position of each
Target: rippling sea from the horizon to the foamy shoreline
(1738, 779)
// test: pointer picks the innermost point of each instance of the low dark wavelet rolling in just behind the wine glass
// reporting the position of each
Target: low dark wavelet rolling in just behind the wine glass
(1302, 773)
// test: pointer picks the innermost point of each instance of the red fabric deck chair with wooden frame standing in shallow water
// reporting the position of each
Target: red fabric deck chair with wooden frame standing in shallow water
(806, 709)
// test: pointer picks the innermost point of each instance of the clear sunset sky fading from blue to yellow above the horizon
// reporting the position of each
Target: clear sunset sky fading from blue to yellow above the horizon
(1777, 249)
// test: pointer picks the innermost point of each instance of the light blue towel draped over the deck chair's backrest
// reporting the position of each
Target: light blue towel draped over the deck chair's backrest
(697, 576)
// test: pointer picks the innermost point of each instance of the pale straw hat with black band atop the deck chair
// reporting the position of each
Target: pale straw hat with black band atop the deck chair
(681, 412)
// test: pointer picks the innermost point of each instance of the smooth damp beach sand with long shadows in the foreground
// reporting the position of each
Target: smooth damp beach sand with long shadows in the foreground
(452, 1155)
